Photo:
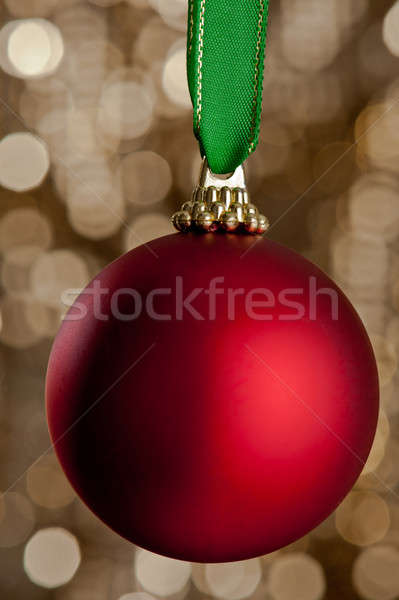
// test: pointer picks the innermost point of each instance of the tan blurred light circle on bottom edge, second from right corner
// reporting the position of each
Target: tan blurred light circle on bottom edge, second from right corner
(296, 576)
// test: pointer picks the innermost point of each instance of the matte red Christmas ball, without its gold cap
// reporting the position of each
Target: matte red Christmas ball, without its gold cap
(212, 436)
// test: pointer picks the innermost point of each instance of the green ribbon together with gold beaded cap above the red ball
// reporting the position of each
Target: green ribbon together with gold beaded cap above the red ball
(225, 82)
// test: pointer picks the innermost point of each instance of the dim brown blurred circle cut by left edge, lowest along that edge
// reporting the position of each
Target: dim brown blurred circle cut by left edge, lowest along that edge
(17, 519)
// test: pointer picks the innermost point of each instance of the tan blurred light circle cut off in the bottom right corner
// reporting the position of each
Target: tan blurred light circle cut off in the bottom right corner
(376, 573)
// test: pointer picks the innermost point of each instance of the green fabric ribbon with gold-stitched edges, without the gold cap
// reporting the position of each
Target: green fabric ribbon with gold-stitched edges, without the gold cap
(225, 61)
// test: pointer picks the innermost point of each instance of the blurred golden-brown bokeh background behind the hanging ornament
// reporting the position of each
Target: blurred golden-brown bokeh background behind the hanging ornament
(96, 152)
